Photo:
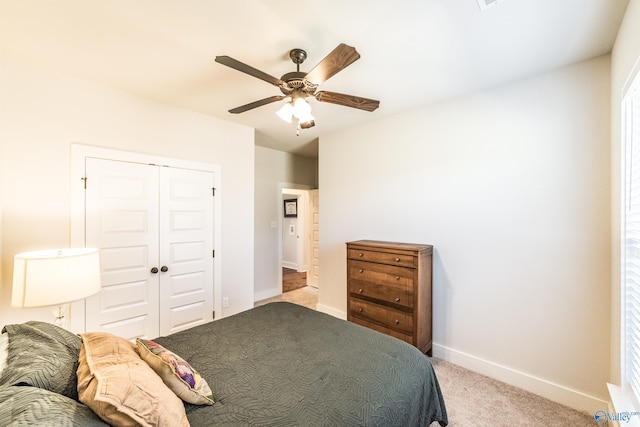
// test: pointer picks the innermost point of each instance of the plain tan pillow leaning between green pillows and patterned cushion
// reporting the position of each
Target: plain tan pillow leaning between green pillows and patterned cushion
(121, 388)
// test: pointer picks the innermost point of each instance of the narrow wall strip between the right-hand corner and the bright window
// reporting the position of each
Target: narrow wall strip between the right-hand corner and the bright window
(624, 61)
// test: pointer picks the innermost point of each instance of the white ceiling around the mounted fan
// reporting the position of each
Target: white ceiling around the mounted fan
(413, 52)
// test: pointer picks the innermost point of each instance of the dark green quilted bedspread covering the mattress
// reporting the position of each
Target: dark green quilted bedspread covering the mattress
(285, 365)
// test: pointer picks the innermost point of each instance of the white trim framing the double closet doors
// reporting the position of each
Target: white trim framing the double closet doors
(79, 152)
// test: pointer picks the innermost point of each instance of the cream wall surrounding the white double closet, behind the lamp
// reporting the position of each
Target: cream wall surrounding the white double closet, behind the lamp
(42, 113)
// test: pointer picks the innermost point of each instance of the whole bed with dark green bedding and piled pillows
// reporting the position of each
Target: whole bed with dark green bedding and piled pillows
(275, 365)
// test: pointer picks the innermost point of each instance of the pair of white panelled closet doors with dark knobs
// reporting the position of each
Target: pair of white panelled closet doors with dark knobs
(154, 227)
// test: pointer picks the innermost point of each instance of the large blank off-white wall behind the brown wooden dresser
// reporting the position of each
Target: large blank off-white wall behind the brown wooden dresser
(511, 186)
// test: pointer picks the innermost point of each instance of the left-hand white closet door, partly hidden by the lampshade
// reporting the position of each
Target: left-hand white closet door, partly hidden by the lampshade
(121, 218)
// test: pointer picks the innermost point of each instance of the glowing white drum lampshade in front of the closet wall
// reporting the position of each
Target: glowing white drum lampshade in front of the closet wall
(56, 276)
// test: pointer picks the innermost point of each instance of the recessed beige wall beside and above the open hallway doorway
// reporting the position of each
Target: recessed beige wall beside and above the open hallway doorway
(273, 169)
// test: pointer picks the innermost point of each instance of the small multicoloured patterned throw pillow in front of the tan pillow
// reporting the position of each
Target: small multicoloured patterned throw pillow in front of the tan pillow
(176, 373)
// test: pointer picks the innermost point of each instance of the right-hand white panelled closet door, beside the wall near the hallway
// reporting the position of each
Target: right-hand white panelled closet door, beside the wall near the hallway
(186, 248)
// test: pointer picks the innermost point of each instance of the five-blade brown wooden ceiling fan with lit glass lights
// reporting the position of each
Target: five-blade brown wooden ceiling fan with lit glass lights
(299, 85)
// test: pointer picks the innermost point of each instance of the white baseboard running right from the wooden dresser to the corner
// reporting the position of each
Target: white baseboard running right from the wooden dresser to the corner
(556, 392)
